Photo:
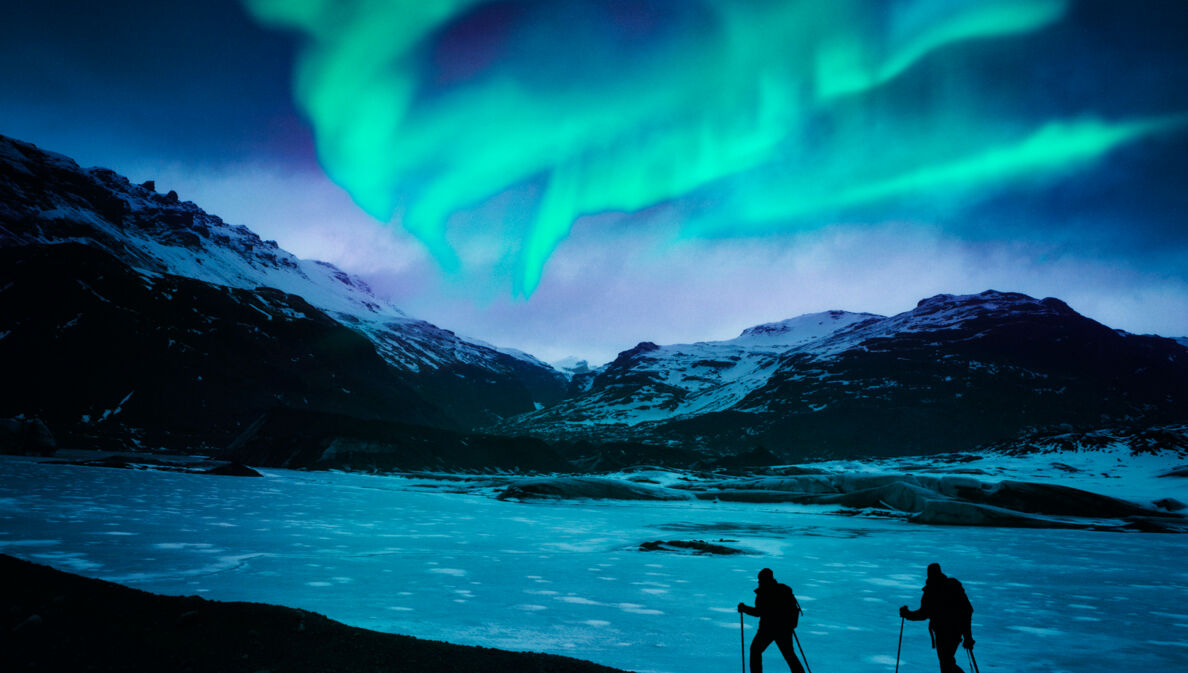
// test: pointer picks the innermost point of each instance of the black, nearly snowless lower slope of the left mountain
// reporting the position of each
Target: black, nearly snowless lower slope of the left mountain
(111, 360)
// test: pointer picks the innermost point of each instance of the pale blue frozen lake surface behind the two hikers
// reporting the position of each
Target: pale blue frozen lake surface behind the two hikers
(410, 557)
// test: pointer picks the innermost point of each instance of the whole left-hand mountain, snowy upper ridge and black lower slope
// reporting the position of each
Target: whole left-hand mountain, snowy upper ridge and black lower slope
(115, 253)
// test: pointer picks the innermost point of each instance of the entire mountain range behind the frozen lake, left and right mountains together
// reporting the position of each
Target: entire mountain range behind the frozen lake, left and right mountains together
(210, 326)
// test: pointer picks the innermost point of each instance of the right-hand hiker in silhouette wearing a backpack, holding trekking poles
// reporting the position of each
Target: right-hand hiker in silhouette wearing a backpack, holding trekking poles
(950, 615)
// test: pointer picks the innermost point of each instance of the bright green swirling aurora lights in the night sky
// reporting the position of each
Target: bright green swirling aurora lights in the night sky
(726, 109)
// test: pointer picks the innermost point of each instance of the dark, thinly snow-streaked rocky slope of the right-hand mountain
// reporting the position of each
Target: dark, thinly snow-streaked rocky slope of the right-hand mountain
(999, 366)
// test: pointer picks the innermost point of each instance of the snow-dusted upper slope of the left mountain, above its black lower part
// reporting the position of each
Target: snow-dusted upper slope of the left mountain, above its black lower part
(49, 199)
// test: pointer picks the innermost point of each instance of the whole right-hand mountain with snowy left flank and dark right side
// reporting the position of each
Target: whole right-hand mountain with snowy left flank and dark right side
(956, 373)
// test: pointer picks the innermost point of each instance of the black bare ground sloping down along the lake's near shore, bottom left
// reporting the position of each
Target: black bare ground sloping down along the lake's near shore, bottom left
(56, 621)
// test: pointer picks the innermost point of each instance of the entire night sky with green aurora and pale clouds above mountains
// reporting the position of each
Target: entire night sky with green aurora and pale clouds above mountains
(572, 178)
